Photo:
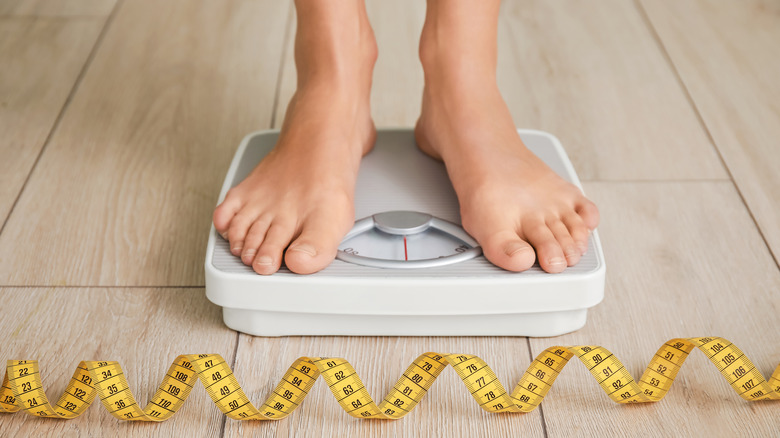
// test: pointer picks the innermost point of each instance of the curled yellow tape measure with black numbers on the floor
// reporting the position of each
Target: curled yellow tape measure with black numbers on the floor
(22, 388)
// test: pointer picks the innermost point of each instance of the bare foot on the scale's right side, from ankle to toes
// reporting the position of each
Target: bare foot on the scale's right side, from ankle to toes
(511, 202)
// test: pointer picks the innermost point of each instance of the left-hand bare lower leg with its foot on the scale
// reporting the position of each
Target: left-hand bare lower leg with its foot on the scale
(297, 204)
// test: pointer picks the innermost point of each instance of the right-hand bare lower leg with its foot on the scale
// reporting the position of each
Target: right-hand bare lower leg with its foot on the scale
(511, 202)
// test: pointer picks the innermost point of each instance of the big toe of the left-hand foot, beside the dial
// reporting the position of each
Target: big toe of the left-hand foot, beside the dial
(316, 246)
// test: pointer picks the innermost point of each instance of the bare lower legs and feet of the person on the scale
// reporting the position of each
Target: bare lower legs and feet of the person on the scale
(518, 209)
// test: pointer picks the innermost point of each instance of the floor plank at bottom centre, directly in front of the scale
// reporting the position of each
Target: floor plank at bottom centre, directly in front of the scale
(447, 409)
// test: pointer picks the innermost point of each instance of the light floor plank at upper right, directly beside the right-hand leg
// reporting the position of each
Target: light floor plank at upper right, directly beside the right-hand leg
(592, 74)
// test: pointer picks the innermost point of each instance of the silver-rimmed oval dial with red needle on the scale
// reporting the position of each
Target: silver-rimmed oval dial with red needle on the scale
(406, 239)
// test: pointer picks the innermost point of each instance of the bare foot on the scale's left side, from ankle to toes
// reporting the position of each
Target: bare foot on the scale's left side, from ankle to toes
(299, 200)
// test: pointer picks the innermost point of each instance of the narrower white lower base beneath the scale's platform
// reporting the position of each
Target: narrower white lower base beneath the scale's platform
(274, 324)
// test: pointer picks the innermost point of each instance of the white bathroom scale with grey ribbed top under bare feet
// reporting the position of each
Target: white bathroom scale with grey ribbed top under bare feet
(407, 268)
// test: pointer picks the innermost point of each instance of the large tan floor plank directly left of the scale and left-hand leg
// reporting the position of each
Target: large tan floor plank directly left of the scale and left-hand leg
(131, 178)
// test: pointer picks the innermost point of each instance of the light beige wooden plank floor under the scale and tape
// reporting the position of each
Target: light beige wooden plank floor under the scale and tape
(119, 119)
